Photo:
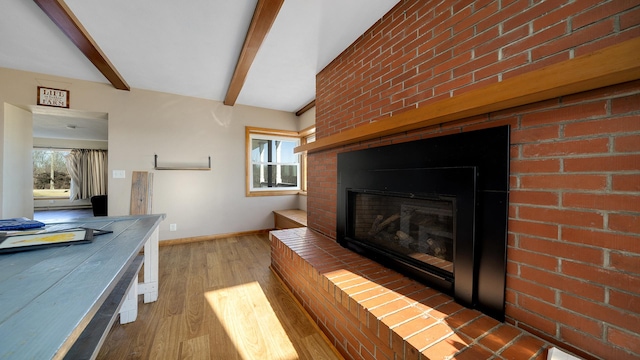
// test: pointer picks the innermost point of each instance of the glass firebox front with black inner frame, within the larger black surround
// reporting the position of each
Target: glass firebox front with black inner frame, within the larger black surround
(428, 235)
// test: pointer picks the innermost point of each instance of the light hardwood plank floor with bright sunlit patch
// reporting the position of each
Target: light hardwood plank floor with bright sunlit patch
(218, 300)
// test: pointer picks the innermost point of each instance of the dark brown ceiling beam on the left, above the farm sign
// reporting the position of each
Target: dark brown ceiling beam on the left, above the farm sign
(62, 16)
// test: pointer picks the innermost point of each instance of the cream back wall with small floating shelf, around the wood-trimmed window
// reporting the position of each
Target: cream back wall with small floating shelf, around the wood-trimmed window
(181, 130)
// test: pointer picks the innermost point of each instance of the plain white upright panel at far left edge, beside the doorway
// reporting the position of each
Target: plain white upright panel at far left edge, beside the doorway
(17, 194)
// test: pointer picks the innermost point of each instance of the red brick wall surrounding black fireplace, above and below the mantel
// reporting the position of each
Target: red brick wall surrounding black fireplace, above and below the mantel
(574, 223)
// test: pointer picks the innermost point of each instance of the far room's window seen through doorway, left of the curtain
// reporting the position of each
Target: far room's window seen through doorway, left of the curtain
(50, 176)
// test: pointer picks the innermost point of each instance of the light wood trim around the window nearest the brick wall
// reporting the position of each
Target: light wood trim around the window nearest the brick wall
(249, 131)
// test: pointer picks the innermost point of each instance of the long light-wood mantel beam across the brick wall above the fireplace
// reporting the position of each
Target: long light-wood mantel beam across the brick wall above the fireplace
(609, 66)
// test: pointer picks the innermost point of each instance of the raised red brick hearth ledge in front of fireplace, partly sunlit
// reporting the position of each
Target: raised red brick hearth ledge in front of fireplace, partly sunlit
(370, 312)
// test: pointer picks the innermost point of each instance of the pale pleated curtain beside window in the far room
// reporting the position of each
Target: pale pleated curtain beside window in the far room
(88, 170)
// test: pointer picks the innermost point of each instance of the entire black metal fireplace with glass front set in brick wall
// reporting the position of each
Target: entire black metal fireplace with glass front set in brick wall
(435, 210)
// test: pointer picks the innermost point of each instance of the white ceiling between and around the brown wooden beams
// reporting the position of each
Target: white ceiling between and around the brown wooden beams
(191, 47)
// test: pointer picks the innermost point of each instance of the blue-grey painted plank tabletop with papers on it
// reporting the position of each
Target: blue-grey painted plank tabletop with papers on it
(48, 296)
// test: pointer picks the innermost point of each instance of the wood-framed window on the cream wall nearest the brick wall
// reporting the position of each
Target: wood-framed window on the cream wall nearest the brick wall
(272, 166)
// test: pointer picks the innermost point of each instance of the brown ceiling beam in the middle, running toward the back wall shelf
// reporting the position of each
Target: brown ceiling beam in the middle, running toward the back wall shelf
(263, 18)
